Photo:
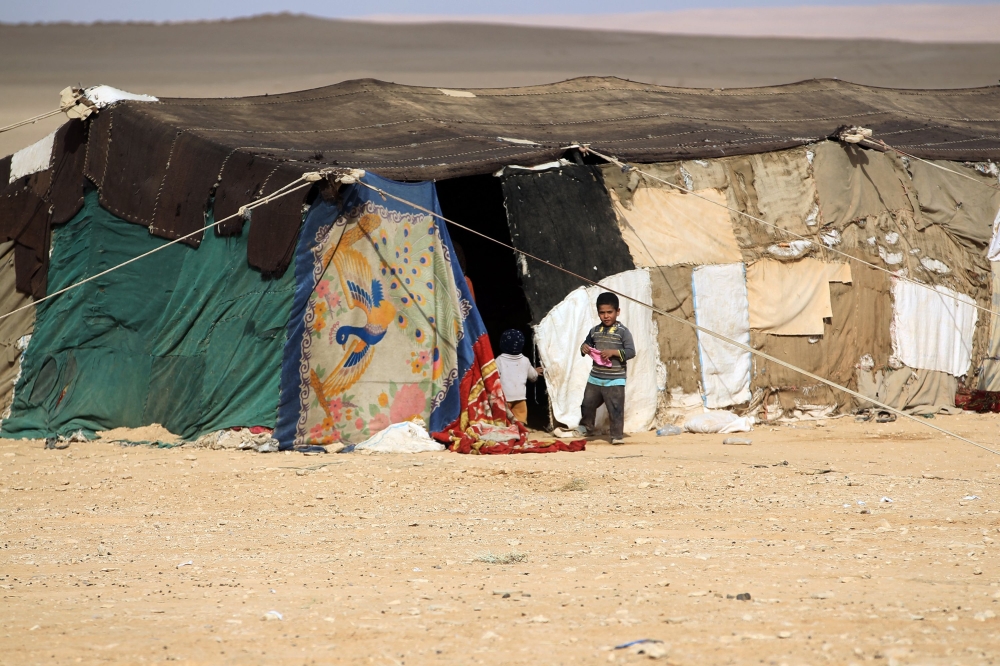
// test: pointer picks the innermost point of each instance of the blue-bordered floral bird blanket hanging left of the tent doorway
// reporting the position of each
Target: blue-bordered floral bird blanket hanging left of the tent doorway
(382, 329)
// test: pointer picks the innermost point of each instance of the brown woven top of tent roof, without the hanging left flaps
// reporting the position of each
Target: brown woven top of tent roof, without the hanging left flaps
(415, 133)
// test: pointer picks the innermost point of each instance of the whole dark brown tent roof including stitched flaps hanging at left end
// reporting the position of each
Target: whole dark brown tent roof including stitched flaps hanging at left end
(157, 164)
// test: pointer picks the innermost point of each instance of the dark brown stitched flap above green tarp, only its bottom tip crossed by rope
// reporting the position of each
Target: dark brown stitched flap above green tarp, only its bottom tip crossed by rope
(187, 188)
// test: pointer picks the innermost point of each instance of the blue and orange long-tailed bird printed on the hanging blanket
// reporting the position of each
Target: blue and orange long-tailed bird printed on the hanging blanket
(363, 292)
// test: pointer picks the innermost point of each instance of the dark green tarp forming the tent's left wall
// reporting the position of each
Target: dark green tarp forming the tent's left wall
(188, 338)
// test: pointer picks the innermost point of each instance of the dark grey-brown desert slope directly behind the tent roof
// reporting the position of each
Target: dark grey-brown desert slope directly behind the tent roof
(273, 54)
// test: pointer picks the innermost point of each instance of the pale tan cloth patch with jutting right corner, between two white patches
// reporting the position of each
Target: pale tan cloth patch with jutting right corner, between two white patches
(792, 299)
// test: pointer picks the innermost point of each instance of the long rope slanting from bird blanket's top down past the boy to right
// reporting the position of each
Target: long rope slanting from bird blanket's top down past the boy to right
(693, 325)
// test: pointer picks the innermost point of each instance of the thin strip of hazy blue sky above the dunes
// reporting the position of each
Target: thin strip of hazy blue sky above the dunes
(15, 11)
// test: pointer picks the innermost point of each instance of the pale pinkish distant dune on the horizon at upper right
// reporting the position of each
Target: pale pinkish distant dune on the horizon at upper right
(915, 23)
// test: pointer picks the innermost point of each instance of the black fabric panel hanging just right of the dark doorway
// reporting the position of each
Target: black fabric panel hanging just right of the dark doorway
(565, 217)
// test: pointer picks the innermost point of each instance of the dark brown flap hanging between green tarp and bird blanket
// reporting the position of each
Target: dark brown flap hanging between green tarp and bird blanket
(275, 226)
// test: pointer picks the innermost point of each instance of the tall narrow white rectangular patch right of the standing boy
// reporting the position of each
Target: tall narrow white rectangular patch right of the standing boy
(721, 306)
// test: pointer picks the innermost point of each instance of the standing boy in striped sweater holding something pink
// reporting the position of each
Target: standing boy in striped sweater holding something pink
(610, 345)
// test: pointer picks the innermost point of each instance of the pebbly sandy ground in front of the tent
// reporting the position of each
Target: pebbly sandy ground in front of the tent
(114, 554)
